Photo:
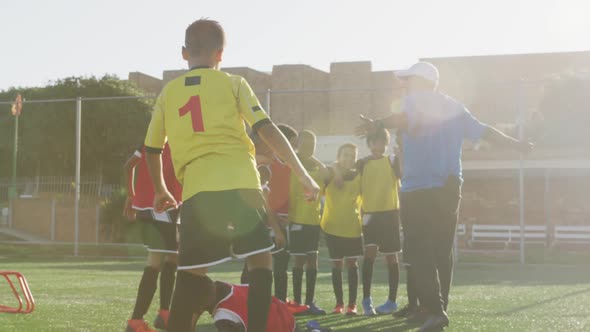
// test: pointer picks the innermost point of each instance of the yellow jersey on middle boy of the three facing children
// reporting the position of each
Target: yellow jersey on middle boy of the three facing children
(342, 216)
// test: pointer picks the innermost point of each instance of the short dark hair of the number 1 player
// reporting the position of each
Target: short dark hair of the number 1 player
(204, 37)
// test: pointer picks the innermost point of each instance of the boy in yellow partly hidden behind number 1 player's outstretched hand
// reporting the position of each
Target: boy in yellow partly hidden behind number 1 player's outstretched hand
(304, 231)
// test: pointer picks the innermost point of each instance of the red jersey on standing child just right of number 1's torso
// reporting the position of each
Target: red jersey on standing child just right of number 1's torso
(278, 199)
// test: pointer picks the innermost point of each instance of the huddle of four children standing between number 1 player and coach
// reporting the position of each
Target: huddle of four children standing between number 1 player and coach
(359, 217)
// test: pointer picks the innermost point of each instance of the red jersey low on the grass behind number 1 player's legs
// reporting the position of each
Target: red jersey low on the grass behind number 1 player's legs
(236, 305)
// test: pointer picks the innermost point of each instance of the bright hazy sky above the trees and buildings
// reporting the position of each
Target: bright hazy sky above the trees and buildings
(46, 40)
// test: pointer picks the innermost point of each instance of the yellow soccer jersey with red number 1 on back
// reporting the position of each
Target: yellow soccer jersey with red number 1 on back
(202, 115)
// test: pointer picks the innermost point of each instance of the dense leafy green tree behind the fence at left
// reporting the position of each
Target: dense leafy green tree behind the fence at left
(110, 129)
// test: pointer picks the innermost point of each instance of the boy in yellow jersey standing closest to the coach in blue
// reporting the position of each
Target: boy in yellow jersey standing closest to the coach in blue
(381, 225)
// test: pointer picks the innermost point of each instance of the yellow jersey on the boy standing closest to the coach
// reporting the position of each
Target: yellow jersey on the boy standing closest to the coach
(379, 185)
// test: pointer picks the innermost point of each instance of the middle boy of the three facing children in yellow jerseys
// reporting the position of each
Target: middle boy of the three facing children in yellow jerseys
(341, 223)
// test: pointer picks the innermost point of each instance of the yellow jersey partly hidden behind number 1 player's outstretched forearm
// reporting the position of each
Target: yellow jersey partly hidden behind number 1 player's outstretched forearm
(302, 211)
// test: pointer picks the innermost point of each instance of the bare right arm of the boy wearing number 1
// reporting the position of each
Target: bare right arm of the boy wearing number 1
(274, 138)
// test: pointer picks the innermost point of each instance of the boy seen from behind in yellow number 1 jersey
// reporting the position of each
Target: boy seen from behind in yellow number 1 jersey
(202, 114)
